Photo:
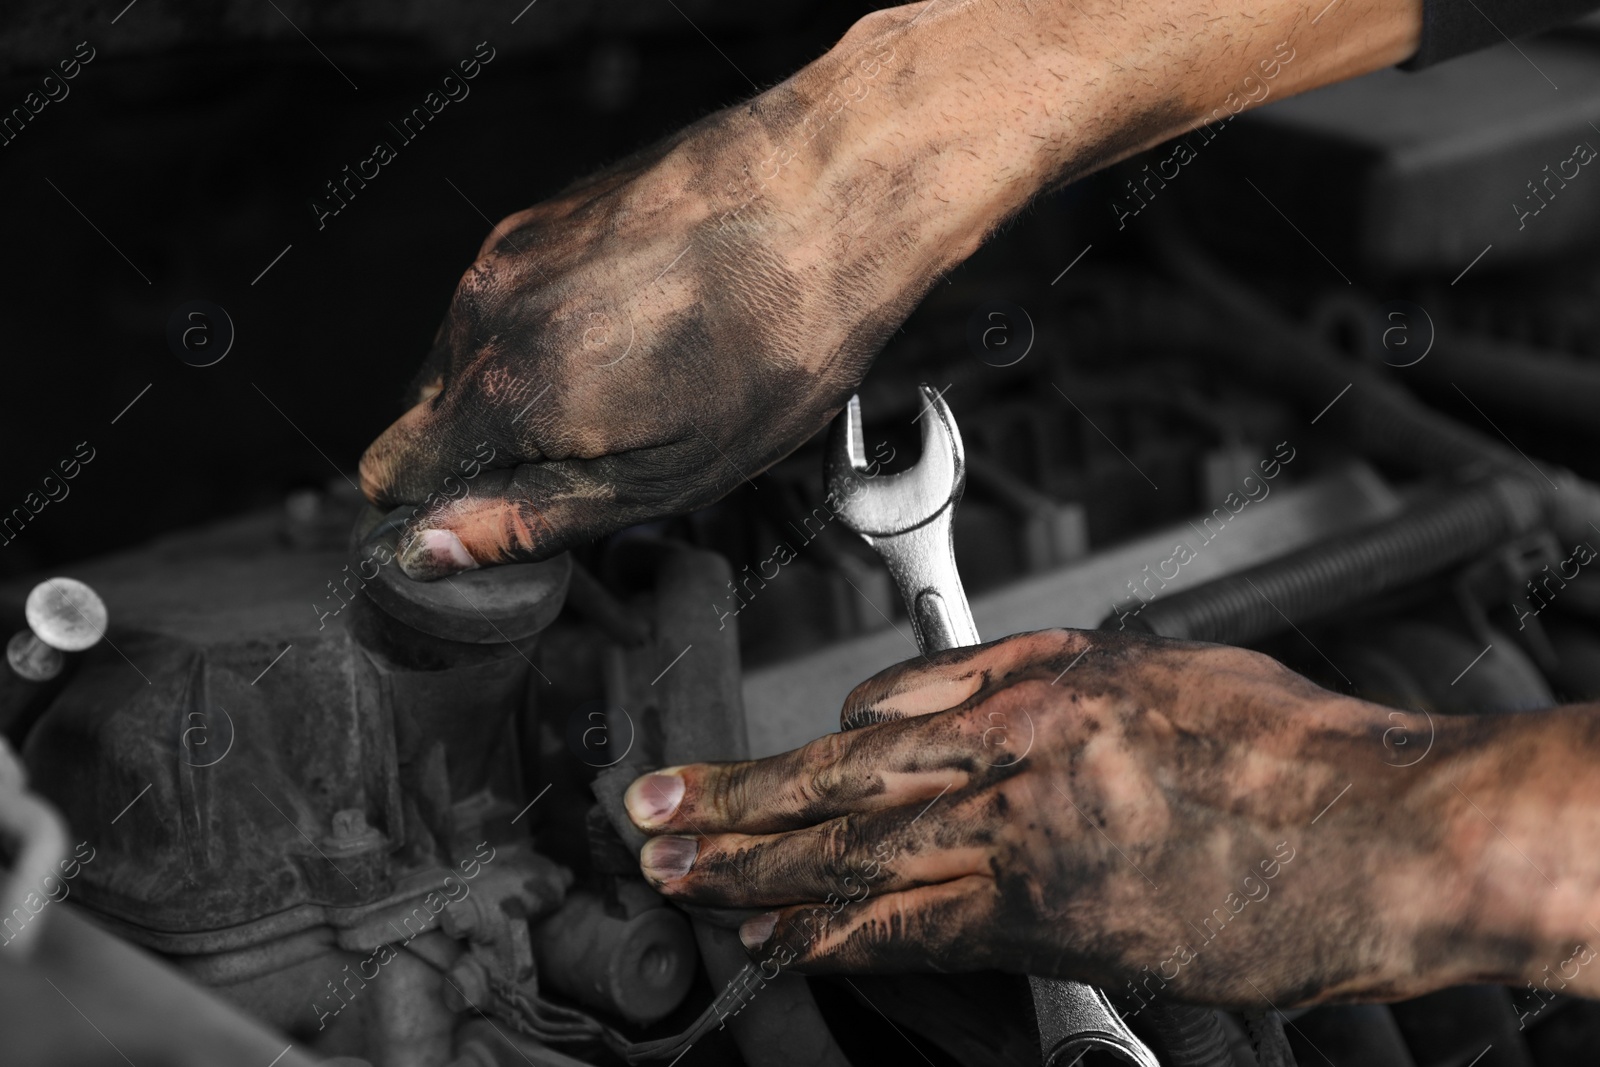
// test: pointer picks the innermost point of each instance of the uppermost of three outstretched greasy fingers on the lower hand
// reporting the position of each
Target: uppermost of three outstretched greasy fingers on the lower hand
(868, 770)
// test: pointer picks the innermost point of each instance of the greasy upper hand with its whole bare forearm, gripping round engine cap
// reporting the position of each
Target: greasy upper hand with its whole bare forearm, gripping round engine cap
(671, 327)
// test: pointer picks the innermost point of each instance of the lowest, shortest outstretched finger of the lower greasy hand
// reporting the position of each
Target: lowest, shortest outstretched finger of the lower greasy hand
(945, 927)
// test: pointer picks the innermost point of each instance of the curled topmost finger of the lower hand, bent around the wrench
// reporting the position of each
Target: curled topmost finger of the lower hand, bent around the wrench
(945, 681)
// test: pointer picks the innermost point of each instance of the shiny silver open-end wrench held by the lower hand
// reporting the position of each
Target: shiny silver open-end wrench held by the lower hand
(906, 518)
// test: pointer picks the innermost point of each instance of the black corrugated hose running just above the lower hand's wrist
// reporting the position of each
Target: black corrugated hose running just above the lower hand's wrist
(1322, 578)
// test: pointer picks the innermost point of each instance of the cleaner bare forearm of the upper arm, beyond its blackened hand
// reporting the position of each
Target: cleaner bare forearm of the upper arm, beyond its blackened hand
(977, 108)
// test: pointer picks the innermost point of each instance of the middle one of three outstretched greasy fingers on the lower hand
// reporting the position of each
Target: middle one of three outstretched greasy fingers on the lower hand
(881, 852)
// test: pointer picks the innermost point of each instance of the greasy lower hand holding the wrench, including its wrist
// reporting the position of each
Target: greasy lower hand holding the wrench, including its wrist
(1153, 817)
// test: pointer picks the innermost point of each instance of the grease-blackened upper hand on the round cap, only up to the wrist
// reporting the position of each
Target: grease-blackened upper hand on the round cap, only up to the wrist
(668, 329)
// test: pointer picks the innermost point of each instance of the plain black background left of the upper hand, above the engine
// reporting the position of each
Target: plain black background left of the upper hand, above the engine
(194, 142)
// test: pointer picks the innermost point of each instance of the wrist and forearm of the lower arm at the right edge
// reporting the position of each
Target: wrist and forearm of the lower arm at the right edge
(1466, 847)
